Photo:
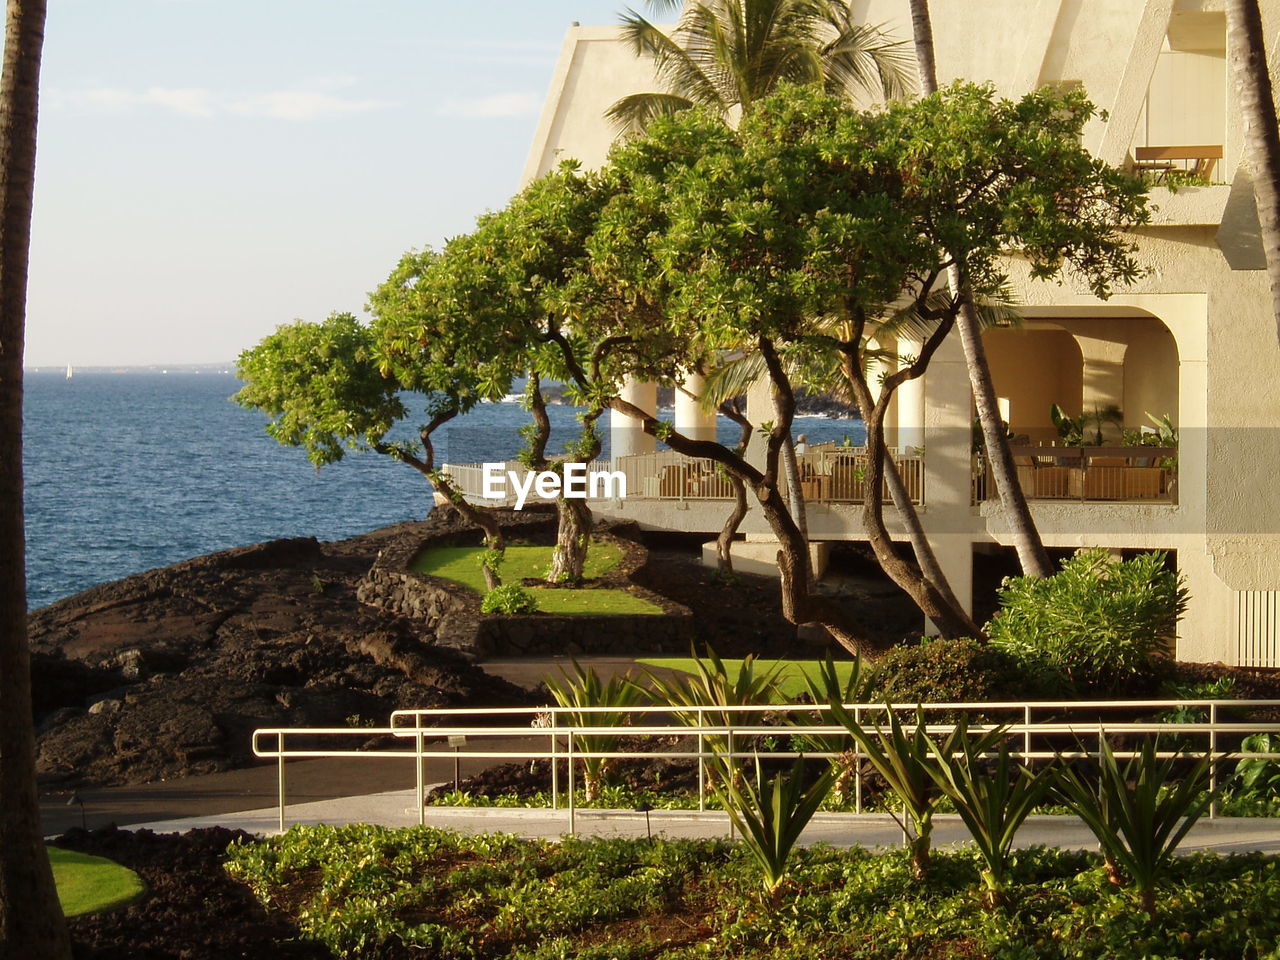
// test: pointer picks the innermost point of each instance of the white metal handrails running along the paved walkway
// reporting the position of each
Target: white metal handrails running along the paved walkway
(556, 734)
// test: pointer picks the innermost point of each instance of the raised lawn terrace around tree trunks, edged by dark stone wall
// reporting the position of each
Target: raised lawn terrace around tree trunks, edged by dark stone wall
(461, 565)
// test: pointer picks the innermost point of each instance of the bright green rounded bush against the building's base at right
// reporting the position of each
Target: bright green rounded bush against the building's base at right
(1105, 627)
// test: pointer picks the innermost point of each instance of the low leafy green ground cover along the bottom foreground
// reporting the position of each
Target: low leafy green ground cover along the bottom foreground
(372, 892)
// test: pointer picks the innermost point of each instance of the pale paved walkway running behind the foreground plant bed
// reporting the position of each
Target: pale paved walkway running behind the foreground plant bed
(1224, 835)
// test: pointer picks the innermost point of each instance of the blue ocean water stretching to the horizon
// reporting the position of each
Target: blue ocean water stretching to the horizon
(129, 472)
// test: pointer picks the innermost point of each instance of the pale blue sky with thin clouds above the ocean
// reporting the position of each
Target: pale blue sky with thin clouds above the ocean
(211, 170)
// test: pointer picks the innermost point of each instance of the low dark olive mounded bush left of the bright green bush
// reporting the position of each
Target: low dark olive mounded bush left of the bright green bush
(956, 670)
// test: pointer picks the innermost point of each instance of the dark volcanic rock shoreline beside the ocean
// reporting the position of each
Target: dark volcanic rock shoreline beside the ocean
(167, 674)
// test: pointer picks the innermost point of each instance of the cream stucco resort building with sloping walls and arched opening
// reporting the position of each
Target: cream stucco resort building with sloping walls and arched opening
(1194, 341)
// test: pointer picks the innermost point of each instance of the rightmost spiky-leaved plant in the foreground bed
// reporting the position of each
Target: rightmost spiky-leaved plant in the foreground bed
(1140, 811)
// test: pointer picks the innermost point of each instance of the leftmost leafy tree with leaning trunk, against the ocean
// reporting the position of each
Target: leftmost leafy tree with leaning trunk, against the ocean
(328, 390)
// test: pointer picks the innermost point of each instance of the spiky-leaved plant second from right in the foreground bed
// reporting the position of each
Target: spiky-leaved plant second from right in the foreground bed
(994, 796)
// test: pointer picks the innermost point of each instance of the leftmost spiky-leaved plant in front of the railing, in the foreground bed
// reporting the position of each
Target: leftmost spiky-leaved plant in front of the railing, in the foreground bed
(771, 812)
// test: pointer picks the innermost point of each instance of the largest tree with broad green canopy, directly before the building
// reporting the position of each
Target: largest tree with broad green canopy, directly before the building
(813, 225)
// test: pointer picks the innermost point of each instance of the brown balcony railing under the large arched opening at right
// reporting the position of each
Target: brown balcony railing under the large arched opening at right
(1091, 474)
